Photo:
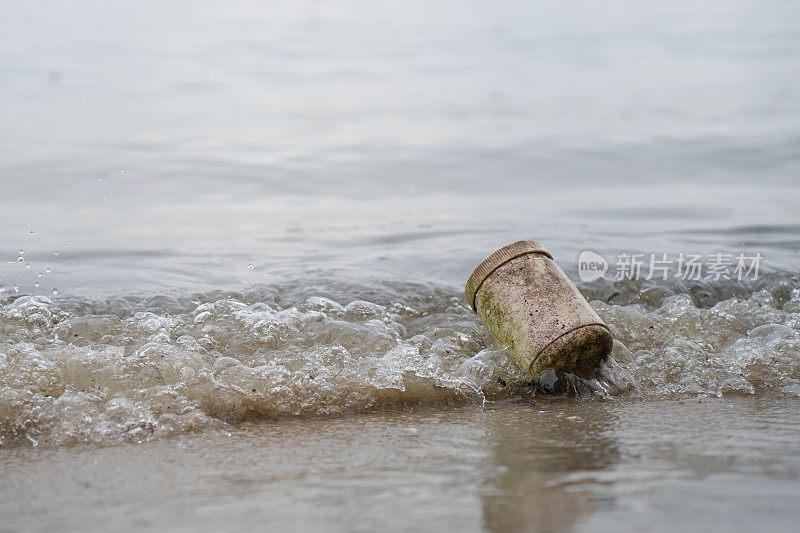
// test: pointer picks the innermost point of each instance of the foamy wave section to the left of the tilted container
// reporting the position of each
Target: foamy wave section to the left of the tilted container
(105, 378)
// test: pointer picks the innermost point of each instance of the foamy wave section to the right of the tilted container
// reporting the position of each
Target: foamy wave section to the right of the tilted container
(748, 345)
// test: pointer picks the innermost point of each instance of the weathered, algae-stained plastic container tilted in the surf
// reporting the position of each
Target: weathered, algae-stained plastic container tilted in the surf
(530, 305)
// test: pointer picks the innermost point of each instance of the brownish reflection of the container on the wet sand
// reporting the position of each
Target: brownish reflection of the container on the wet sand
(534, 450)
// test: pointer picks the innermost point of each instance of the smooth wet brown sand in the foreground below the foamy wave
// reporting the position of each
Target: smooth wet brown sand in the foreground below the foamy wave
(548, 465)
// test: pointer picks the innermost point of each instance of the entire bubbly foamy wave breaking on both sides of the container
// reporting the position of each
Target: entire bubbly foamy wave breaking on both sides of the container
(131, 369)
